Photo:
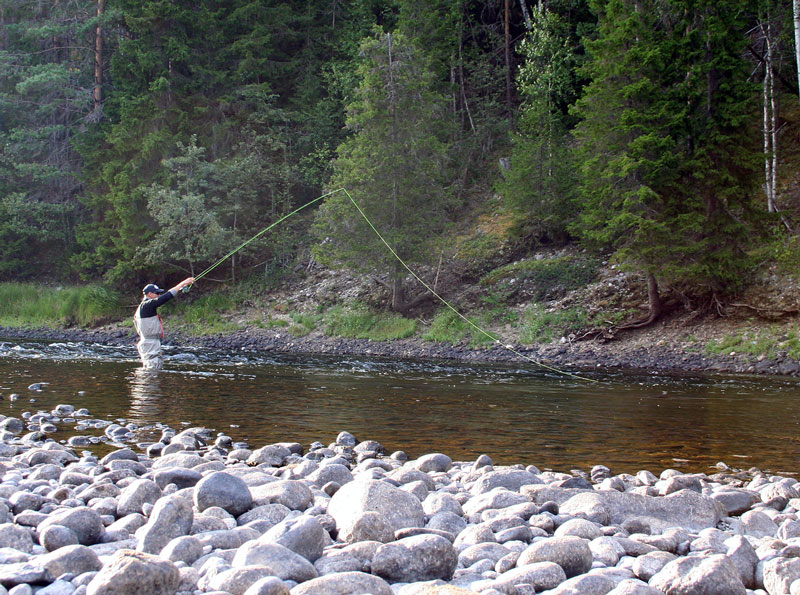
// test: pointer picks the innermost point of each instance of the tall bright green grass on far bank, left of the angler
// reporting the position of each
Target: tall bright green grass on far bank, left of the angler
(30, 305)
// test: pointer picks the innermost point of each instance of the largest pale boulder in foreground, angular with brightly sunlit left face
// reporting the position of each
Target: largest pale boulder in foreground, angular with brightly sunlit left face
(398, 507)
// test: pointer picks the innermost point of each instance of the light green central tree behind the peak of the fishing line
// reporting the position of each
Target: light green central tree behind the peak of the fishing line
(393, 166)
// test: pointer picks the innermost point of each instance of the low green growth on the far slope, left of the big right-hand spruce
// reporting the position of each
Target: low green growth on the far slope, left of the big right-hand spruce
(565, 272)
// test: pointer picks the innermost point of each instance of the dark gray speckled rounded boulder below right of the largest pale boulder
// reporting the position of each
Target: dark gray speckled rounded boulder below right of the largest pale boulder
(414, 559)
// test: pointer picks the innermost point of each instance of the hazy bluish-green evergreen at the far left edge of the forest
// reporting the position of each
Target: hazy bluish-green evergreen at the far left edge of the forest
(46, 67)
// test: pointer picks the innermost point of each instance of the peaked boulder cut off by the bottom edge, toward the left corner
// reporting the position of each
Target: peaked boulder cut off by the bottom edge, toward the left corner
(135, 572)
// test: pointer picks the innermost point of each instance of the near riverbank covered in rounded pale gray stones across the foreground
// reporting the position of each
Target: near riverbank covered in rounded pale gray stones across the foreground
(195, 513)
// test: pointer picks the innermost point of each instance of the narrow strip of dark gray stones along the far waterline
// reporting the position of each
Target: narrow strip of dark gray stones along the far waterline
(631, 354)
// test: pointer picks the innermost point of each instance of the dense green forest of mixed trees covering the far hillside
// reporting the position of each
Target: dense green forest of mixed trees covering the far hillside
(143, 138)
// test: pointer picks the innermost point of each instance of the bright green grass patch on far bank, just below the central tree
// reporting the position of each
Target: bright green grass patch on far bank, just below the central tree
(360, 322)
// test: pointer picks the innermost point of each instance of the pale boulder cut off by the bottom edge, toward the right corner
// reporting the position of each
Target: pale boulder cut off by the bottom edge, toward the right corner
(713, 575)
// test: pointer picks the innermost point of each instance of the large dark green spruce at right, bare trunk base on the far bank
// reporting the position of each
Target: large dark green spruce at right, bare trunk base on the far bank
(667, 156)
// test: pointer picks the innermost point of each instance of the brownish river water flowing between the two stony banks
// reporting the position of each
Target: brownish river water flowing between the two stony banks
(515, 414)
